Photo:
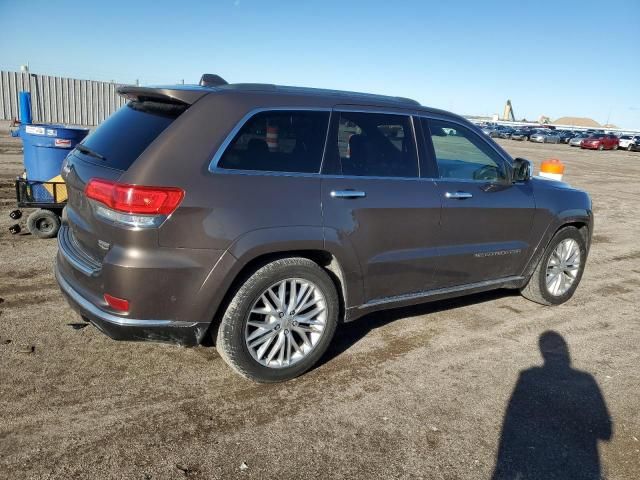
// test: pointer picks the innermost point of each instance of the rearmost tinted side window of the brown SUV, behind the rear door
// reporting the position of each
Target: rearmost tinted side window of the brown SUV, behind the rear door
(279, 141)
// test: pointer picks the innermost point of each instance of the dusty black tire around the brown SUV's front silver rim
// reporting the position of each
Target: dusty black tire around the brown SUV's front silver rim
(536, 289)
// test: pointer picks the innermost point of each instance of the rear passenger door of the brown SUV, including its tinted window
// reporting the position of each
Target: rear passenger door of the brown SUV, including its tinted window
(376, 206)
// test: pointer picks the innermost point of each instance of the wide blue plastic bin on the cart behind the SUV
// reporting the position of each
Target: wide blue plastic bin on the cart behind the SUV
(45, 147)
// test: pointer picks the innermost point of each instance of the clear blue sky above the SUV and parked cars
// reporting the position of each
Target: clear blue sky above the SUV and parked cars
(554, 58)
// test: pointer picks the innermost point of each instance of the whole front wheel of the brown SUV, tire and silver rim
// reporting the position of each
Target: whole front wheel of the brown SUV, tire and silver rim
(558, 274)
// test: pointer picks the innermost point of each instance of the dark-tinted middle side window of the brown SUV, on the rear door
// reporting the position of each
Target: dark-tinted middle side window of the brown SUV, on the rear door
(376, 145)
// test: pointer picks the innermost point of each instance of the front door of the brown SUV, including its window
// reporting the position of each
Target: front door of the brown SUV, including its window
(486, 220)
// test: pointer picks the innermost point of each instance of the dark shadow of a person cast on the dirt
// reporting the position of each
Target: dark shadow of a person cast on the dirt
(554, 420)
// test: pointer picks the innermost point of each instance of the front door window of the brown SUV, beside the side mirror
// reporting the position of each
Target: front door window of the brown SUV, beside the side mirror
(463, 155)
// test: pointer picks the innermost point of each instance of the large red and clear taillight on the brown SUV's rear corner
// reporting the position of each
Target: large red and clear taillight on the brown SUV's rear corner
(133, 205)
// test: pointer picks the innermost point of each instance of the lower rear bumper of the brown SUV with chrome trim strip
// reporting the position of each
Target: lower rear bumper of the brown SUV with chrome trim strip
(125, 328)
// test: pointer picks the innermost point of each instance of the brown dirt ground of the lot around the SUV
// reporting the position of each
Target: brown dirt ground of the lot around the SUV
(413, 393)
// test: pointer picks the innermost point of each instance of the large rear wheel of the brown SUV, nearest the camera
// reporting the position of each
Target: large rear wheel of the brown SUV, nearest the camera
(234, 330)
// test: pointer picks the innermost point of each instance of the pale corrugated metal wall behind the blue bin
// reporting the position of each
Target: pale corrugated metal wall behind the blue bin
(57, 99)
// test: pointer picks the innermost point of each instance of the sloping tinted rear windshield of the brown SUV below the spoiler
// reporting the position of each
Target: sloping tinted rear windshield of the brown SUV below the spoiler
(121, 138)
